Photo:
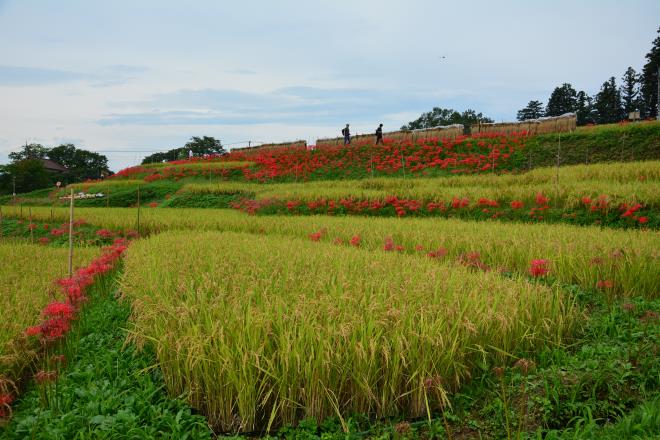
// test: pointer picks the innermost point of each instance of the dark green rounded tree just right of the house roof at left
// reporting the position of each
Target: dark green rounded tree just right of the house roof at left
(81, 164)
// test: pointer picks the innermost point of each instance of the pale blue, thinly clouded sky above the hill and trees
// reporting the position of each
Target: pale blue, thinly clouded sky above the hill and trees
(126, 78)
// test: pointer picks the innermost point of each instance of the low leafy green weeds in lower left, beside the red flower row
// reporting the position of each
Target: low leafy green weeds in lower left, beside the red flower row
(103, 388)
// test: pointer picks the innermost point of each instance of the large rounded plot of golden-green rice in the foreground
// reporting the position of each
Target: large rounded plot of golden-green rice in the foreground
(374, 333)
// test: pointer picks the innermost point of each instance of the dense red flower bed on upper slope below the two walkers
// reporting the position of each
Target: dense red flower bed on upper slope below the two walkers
(460, 155)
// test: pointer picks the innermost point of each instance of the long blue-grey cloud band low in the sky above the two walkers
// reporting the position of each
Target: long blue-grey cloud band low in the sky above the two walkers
(300, 105)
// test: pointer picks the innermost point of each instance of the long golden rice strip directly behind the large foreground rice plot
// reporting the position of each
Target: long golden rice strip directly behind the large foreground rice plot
(578, 255)
